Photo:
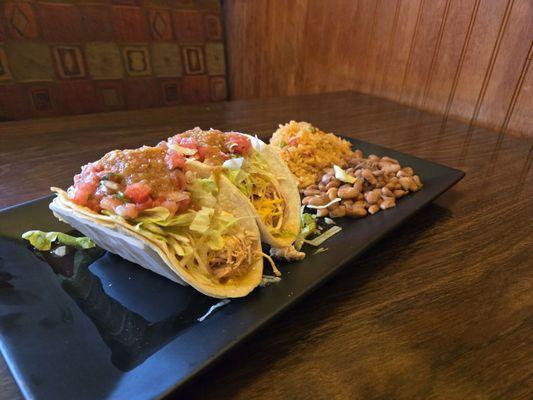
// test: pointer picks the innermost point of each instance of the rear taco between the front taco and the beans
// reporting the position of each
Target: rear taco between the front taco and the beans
(255, 169)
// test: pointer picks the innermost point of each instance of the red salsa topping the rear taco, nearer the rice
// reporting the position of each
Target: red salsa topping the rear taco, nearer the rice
(211, 147)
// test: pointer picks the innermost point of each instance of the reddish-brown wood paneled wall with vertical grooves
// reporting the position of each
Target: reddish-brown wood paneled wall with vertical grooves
(467, 59)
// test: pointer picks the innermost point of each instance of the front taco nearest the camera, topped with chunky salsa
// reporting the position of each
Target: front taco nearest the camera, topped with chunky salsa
(185, 222)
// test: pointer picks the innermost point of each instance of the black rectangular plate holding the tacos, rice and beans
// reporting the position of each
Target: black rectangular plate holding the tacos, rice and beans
(115, 330)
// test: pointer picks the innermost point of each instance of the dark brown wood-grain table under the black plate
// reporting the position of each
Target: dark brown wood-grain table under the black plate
(442, 308)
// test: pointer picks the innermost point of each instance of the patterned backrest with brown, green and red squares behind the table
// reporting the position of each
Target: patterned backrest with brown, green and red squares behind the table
(74, 57)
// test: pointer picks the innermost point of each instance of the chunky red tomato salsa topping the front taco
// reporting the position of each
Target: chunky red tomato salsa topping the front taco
(127, 182)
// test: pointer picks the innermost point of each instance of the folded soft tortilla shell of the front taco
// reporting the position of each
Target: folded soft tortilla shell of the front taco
(121, 238)
